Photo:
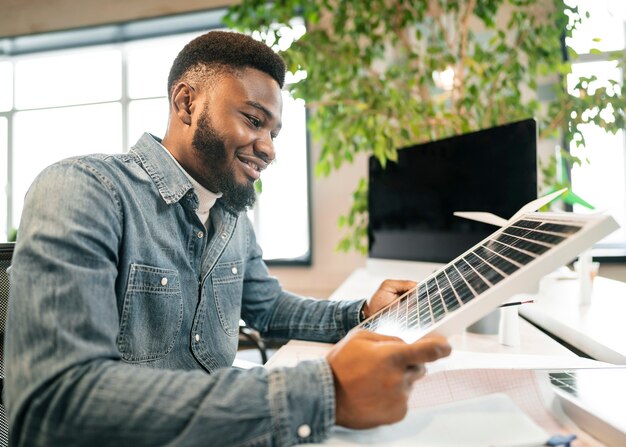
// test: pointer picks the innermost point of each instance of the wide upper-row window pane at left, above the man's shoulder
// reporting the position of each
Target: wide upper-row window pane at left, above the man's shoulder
(77, 77)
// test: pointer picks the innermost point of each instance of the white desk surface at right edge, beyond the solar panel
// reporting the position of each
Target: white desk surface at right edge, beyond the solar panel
(597, 329)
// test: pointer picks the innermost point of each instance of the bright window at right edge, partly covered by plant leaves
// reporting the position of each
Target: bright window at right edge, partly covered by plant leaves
(602, 181)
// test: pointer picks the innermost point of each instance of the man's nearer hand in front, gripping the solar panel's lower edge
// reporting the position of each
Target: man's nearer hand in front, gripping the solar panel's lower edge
(373, 376)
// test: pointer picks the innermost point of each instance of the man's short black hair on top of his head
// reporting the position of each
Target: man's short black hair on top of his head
(223, 51)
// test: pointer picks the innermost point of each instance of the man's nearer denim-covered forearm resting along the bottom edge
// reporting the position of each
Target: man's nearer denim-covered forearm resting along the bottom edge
(108, 402)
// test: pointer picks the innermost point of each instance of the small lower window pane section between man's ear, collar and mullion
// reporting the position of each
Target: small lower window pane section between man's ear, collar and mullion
(147, 115)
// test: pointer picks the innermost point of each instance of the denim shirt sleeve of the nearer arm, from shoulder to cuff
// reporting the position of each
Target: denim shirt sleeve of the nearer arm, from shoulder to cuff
(65, 381)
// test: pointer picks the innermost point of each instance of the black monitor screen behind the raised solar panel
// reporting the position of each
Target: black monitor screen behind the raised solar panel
(411, 202)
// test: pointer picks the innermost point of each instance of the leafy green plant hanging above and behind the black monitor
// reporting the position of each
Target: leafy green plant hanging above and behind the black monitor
(369, 76)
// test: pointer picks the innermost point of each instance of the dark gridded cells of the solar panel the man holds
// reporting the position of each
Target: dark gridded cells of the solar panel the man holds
(456, 285)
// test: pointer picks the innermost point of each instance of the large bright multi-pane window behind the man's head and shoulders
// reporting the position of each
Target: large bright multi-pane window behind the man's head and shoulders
(101, 90)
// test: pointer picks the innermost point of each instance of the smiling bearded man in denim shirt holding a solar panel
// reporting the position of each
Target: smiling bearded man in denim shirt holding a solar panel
(132, 271)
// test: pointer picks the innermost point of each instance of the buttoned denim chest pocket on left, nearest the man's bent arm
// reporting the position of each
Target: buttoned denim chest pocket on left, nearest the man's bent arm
(152, 314)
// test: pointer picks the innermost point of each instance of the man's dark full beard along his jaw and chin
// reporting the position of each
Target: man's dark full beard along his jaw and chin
(210, 147)
